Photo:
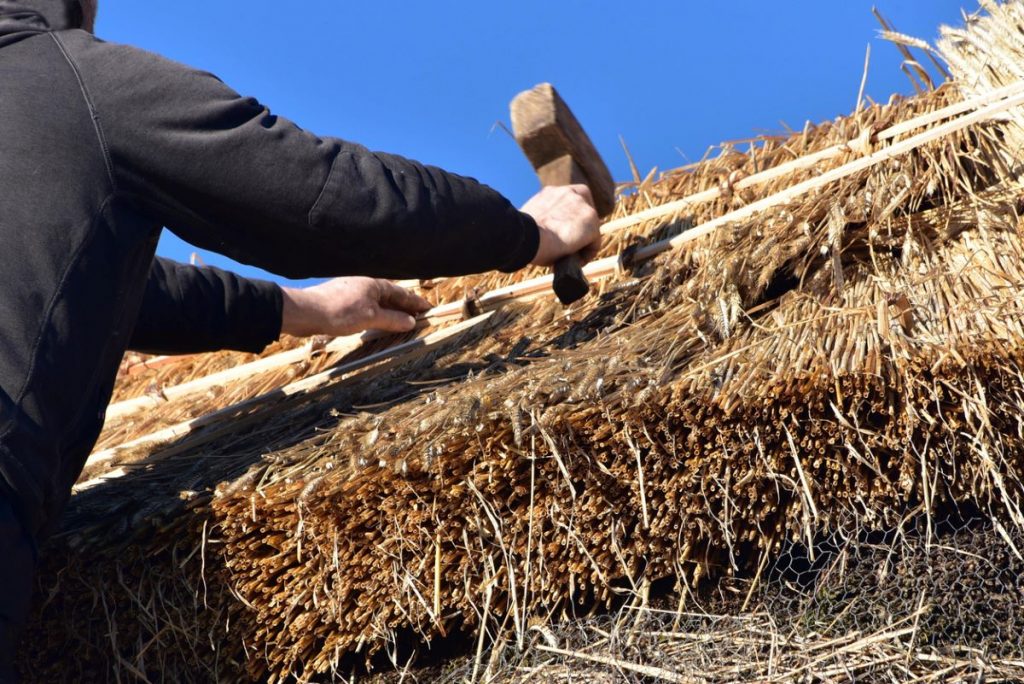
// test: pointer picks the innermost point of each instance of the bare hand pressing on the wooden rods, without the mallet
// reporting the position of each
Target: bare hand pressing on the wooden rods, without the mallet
(350, 306)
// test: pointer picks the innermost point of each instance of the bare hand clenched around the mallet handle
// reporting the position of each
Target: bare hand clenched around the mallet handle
(568, 222)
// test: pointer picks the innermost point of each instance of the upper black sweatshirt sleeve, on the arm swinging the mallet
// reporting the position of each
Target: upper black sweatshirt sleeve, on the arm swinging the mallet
(225, 174)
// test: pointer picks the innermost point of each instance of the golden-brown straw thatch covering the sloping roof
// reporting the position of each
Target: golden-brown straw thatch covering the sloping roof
(844, 362)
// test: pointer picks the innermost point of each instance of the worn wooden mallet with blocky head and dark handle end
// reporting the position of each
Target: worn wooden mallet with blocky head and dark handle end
(563, 155)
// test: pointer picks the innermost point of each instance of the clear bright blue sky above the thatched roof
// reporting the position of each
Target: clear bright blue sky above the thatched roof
(430, 80)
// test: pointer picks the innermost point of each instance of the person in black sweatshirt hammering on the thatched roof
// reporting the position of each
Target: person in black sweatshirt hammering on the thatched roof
(102, 146)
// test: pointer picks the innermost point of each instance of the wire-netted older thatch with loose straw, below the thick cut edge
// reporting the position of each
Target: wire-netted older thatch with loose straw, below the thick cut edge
(928, 602)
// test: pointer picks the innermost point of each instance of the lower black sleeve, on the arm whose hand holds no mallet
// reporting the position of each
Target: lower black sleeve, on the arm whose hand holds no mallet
(188, 310)
